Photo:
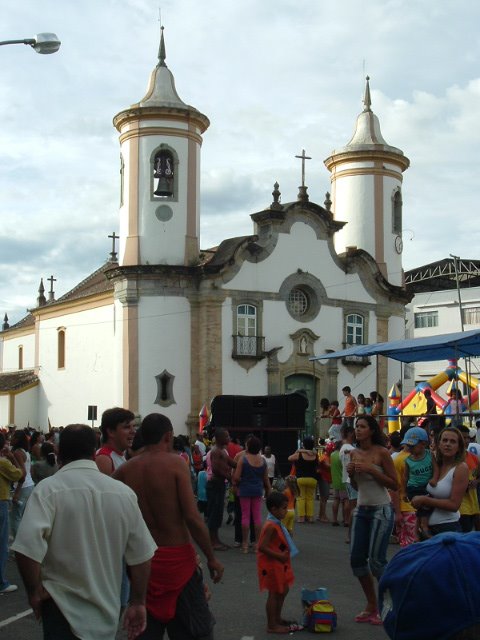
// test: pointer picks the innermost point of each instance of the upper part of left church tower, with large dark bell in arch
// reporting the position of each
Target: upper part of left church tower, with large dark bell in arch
(160, 142)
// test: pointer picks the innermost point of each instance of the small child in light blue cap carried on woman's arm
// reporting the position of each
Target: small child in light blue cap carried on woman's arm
(420, 469)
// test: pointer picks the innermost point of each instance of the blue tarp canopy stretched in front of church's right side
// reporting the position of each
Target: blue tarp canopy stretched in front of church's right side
(443, 347)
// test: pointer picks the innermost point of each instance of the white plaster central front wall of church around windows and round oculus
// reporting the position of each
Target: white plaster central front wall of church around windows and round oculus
(298, 255)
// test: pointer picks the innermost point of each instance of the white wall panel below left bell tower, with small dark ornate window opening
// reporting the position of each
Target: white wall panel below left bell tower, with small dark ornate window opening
(164, 345)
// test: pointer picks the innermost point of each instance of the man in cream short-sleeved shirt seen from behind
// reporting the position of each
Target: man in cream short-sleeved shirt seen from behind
(77, 527)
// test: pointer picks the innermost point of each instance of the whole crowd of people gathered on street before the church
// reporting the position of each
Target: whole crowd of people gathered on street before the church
(404, 487)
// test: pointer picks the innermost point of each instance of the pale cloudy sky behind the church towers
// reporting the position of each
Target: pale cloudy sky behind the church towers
(273, 76)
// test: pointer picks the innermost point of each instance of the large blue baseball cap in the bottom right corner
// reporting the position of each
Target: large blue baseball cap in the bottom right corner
(430, 590)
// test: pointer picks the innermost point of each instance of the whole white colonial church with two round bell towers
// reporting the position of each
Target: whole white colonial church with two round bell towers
(165, 326)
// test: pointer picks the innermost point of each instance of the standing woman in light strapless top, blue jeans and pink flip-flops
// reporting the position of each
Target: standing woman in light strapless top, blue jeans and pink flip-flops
(372, 472)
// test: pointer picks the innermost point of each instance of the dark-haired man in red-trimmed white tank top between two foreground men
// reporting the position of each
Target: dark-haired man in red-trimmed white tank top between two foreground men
(118, 430)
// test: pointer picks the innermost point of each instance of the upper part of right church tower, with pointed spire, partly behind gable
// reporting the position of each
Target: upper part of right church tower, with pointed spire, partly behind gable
(366, 178)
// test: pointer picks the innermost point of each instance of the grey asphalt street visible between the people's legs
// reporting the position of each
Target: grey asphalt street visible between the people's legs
(237, 604)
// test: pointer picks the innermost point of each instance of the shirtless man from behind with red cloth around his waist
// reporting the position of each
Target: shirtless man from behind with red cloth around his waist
(175, 598)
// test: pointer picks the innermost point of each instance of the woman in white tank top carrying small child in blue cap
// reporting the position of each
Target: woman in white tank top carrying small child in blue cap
(447, 494)
